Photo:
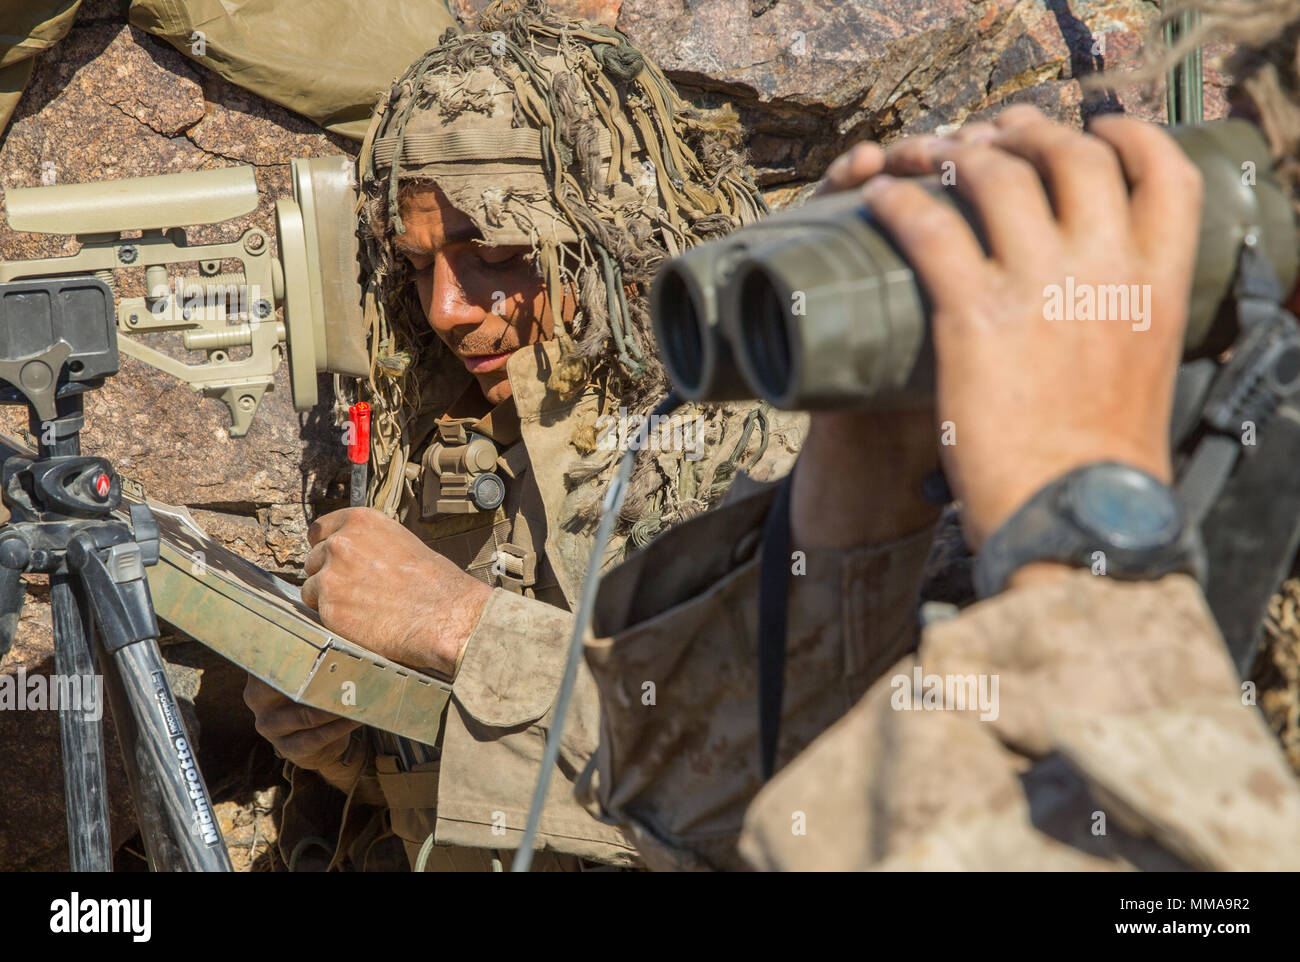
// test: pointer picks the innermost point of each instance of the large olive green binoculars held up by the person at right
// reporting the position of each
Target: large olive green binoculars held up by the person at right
(816, 309)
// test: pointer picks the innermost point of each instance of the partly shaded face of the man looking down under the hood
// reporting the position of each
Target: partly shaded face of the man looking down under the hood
(484, 302)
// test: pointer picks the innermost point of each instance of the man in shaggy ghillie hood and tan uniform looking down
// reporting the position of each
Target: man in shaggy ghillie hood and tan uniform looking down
(513, 362)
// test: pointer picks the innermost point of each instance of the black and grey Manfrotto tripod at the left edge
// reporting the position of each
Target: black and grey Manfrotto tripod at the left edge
(63, 523)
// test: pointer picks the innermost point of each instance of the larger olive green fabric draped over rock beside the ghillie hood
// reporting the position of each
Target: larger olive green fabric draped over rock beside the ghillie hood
(328, 60)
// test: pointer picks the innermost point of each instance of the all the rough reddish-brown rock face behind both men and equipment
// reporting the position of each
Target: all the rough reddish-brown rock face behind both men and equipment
(809, 79)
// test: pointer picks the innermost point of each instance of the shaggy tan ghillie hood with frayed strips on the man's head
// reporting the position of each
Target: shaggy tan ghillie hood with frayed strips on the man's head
(554, 135)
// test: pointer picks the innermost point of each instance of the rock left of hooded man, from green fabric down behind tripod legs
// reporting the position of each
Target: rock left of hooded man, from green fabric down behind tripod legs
(112, 102)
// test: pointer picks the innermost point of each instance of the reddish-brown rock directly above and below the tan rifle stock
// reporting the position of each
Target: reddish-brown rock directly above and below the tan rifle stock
(114, 103)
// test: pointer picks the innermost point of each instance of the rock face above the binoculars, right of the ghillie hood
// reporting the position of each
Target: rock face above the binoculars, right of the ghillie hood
(812, 79)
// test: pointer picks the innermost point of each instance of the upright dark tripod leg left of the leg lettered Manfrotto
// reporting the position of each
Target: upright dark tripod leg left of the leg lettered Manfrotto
(83, 739)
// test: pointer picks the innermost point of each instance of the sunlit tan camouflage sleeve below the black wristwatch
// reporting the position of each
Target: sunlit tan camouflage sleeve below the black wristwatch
(1117, 736)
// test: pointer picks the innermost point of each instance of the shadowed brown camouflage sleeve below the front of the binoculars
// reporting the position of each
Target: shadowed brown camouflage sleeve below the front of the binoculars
(678, 764)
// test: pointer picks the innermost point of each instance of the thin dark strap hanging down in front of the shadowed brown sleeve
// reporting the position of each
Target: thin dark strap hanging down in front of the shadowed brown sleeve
(774, 582)
